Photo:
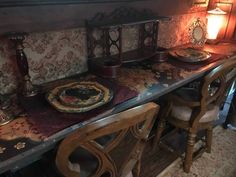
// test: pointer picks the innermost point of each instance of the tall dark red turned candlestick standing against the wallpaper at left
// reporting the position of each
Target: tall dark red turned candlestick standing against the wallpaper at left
(28, 89)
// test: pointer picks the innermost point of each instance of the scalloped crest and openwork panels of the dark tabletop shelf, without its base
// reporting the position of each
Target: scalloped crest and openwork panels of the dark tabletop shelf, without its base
(109, 37)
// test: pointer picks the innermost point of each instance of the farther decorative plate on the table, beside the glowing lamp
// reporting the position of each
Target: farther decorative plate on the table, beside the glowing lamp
(190, 54)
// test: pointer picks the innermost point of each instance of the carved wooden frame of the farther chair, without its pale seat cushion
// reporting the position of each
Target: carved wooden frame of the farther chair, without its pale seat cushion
(220, 78)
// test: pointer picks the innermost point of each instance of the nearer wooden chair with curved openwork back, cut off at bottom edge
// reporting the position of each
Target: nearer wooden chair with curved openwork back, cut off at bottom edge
(108, 147)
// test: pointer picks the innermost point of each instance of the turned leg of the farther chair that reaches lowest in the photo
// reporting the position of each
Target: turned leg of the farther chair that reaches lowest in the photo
(189, 151)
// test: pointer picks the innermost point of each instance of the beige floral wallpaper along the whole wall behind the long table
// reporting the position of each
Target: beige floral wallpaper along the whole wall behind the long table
(57, 54)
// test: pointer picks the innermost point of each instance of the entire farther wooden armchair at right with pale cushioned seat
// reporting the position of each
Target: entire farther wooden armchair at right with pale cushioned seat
(192, 109)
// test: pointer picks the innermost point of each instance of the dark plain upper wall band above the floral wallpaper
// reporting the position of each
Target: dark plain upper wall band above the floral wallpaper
(41, 18)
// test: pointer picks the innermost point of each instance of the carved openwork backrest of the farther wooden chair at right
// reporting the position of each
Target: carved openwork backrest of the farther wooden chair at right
(214, 87)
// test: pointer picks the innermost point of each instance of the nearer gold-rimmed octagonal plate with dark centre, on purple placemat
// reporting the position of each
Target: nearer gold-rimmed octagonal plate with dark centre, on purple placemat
(79, 97)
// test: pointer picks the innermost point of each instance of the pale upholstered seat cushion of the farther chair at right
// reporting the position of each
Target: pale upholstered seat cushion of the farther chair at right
(184, 113)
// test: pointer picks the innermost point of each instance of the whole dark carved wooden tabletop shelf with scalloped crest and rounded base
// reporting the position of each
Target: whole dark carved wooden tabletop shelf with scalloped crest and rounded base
(108, 63)
